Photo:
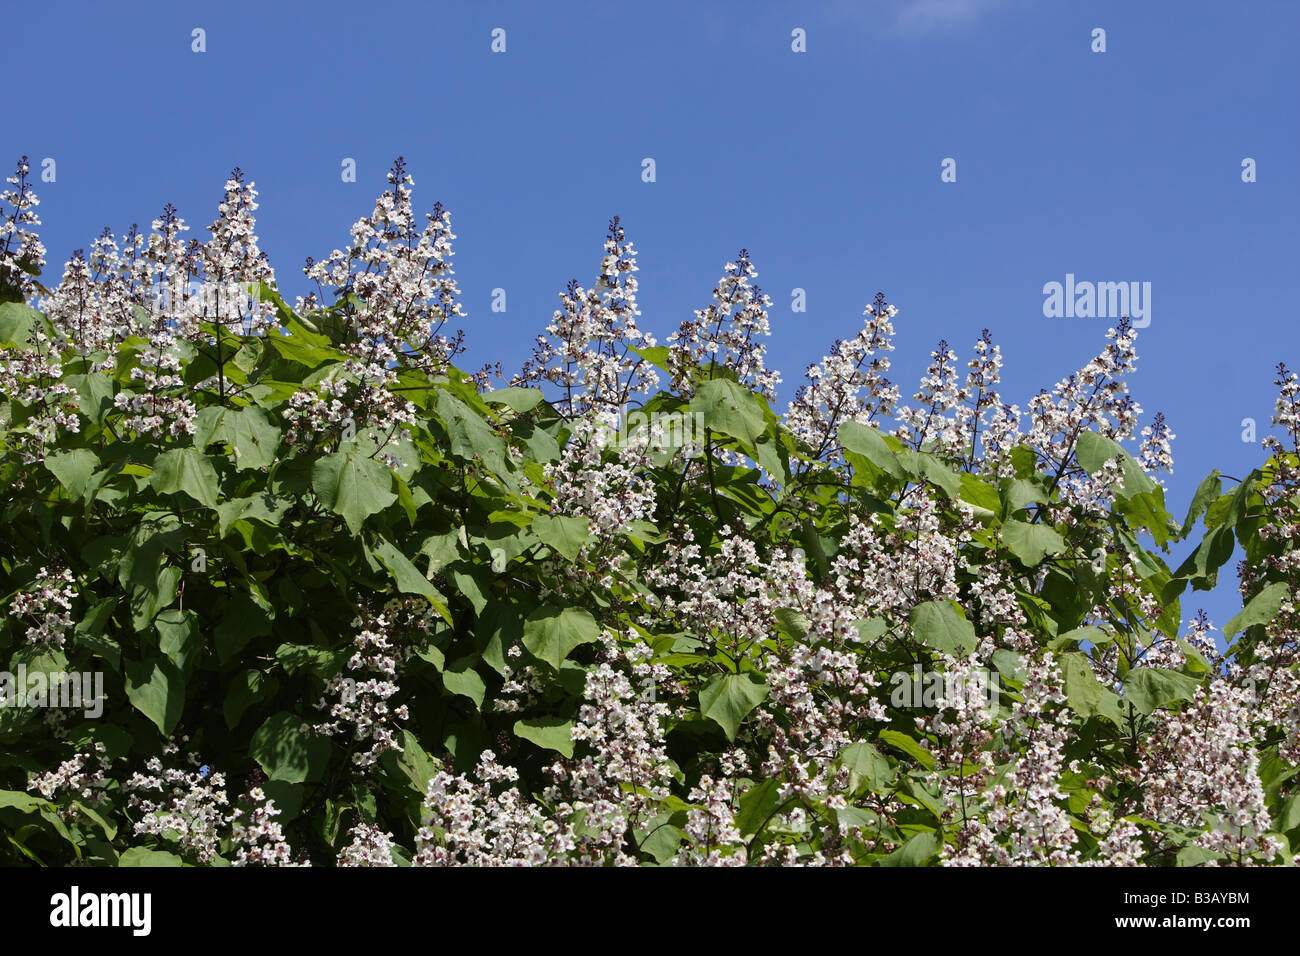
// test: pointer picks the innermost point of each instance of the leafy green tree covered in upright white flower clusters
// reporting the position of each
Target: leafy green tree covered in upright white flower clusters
(356, 607)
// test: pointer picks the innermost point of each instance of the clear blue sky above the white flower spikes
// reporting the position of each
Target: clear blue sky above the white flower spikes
(1124, 166)
